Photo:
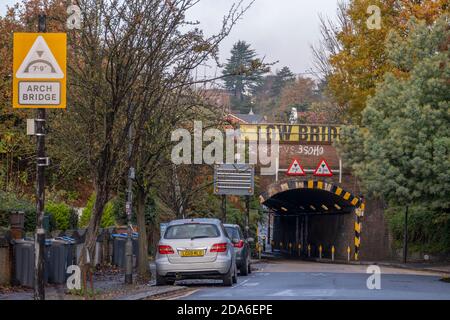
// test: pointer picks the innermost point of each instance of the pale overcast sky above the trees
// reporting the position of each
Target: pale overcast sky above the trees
(279, 30)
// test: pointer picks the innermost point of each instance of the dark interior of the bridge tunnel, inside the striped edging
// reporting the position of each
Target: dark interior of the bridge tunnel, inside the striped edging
(306, 219)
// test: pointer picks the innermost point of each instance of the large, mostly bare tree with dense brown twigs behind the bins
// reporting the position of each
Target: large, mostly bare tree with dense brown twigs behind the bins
(129, 56)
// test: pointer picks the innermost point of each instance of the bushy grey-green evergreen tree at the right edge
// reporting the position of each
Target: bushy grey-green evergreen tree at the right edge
(402, 152)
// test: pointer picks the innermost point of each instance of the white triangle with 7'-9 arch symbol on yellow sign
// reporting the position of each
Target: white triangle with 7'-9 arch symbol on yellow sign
(40, 63)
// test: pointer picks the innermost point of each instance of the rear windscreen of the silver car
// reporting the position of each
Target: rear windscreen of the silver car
(192, 230)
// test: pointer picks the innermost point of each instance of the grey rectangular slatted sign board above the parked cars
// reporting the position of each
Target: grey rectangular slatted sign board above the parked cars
(234, 179)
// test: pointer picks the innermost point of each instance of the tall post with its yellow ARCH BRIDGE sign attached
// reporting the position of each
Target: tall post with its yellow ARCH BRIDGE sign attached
(39, 82)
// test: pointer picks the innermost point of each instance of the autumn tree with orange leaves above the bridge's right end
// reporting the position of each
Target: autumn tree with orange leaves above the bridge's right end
(355, 54)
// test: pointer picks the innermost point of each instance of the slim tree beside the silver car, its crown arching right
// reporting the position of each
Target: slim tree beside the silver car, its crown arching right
(153, 153)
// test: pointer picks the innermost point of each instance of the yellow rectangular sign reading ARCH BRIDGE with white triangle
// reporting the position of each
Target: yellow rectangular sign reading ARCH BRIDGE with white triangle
(39, 70)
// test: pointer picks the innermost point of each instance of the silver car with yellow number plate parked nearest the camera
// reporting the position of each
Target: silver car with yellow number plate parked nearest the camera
(195, 249)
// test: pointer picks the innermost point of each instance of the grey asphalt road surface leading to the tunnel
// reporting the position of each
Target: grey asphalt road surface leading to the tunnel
(300, 280)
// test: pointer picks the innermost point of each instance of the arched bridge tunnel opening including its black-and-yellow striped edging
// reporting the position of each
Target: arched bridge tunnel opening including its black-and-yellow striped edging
(311, 217)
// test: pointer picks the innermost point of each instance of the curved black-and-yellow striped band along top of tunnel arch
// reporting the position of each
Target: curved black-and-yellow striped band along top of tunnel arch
(310, 184)
